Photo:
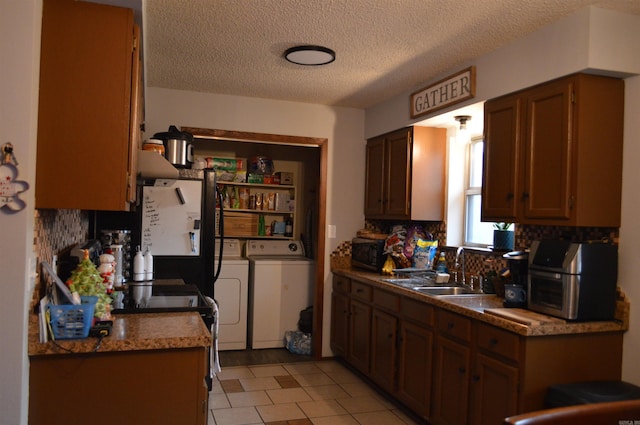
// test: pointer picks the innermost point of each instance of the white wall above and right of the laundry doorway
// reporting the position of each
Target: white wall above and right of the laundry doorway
(343, 127)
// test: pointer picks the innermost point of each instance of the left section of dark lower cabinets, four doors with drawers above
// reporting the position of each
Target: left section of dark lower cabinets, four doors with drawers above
(388, 338)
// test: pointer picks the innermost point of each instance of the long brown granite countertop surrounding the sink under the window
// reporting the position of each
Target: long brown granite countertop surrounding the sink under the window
(480, 307)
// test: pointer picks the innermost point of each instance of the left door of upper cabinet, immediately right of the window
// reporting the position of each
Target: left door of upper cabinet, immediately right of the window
(501, 167)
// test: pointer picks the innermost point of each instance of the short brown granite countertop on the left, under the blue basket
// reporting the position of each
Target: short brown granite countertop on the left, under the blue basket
(131, 332)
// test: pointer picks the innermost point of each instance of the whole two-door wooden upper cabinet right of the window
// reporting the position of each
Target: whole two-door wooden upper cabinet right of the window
(553, 153)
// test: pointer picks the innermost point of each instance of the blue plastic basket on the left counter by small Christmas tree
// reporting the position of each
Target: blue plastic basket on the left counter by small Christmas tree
(69, 321)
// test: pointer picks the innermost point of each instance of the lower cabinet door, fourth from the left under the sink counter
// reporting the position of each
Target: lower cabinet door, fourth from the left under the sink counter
(415, 360)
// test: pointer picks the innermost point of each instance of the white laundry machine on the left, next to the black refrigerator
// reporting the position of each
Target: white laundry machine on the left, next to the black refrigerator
(231, 292)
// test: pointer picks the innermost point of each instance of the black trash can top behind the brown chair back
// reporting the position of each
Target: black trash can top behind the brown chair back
(590, 392)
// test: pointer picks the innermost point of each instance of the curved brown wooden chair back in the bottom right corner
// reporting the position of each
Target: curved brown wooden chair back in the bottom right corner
(609, 413)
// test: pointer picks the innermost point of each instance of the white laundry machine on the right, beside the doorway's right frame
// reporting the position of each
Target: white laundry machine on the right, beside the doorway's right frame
(280, 286)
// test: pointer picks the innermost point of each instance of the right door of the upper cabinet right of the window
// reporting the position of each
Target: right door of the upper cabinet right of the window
(548, 152)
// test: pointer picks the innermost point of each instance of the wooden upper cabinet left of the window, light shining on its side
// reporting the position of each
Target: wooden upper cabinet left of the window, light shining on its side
(405, 175)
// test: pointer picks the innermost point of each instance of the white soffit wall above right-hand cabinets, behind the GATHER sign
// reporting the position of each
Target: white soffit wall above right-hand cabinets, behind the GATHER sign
(590, 39)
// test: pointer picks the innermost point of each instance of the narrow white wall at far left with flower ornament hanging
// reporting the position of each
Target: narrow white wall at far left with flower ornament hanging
(20, 50)
